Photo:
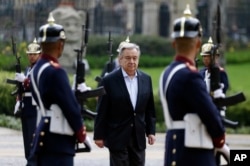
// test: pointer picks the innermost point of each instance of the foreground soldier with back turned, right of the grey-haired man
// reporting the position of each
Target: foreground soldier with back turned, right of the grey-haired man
(186, 103)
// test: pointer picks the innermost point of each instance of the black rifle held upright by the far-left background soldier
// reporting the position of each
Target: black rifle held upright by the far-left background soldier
(19, 87)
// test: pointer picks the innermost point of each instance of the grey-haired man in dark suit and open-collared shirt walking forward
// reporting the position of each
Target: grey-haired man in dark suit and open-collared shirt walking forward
(126, 112)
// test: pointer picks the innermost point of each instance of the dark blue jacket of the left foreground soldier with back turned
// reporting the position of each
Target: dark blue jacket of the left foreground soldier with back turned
(54, 88)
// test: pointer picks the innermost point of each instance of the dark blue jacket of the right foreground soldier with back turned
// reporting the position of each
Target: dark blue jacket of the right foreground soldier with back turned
(187, 93)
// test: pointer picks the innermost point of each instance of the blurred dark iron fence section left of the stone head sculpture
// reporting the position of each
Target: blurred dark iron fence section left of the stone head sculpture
(22, 18)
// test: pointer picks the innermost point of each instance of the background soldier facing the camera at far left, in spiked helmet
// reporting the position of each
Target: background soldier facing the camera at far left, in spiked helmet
(28, 112)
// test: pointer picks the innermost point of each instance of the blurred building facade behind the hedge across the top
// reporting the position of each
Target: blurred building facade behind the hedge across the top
(121, 17)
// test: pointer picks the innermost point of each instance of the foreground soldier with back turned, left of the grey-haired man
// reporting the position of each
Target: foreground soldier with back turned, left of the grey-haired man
(54, 88)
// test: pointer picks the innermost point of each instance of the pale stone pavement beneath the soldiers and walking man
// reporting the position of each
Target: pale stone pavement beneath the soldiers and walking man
(12, 152)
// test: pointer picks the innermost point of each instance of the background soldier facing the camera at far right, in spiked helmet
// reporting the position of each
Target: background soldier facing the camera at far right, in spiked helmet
(206, 53)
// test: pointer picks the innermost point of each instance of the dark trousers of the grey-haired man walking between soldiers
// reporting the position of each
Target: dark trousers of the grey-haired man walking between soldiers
(130, 156)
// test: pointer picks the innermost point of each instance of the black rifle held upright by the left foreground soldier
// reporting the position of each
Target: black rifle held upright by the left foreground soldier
(80, 74)
